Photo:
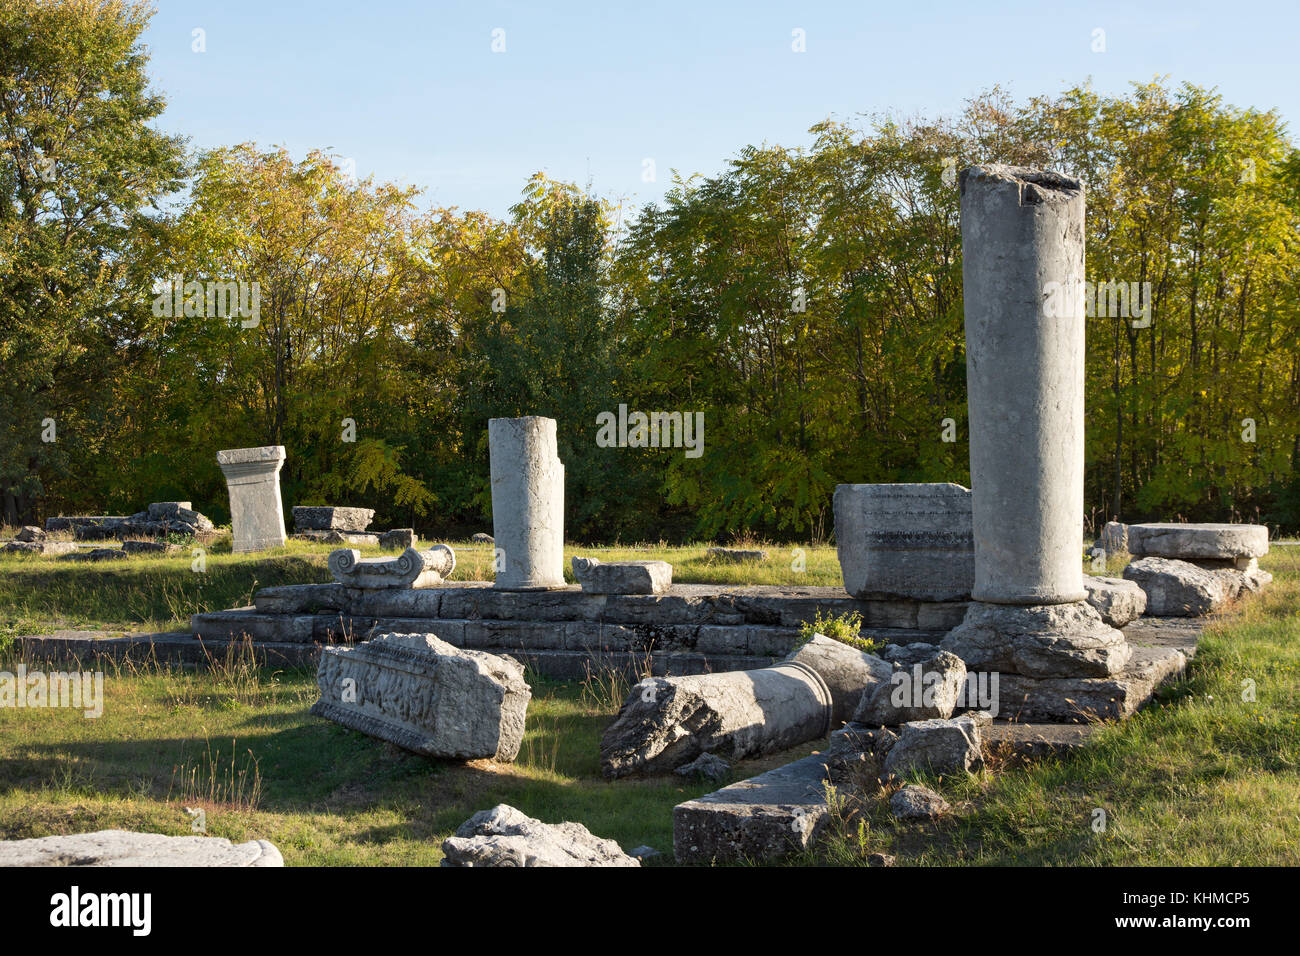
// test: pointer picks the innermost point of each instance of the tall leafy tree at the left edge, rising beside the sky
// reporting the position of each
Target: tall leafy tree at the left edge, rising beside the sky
(80, 174)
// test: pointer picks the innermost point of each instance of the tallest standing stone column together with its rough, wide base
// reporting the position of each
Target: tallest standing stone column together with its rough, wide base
(1022, 274)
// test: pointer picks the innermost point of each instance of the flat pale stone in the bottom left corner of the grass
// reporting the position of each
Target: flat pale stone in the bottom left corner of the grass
(125, 849)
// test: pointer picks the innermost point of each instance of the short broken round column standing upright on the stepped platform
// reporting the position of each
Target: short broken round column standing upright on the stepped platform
(527, 504)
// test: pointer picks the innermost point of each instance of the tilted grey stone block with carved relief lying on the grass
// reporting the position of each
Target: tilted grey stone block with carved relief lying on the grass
(427, 697)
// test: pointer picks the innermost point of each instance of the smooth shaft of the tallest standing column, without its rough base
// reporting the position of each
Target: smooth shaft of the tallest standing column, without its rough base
(1022, 275)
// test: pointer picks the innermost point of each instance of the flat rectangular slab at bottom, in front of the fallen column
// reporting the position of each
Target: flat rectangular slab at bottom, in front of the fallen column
(765, 817)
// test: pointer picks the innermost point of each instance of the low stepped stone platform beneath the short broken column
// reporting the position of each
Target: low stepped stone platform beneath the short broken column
(691, 629)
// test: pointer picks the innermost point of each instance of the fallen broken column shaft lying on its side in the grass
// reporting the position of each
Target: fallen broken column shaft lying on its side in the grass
(668, 723)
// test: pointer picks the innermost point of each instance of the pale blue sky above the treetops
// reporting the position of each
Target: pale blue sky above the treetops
(414, 93)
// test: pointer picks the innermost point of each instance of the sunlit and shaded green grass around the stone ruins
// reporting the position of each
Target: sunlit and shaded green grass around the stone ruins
(1204, 777)
